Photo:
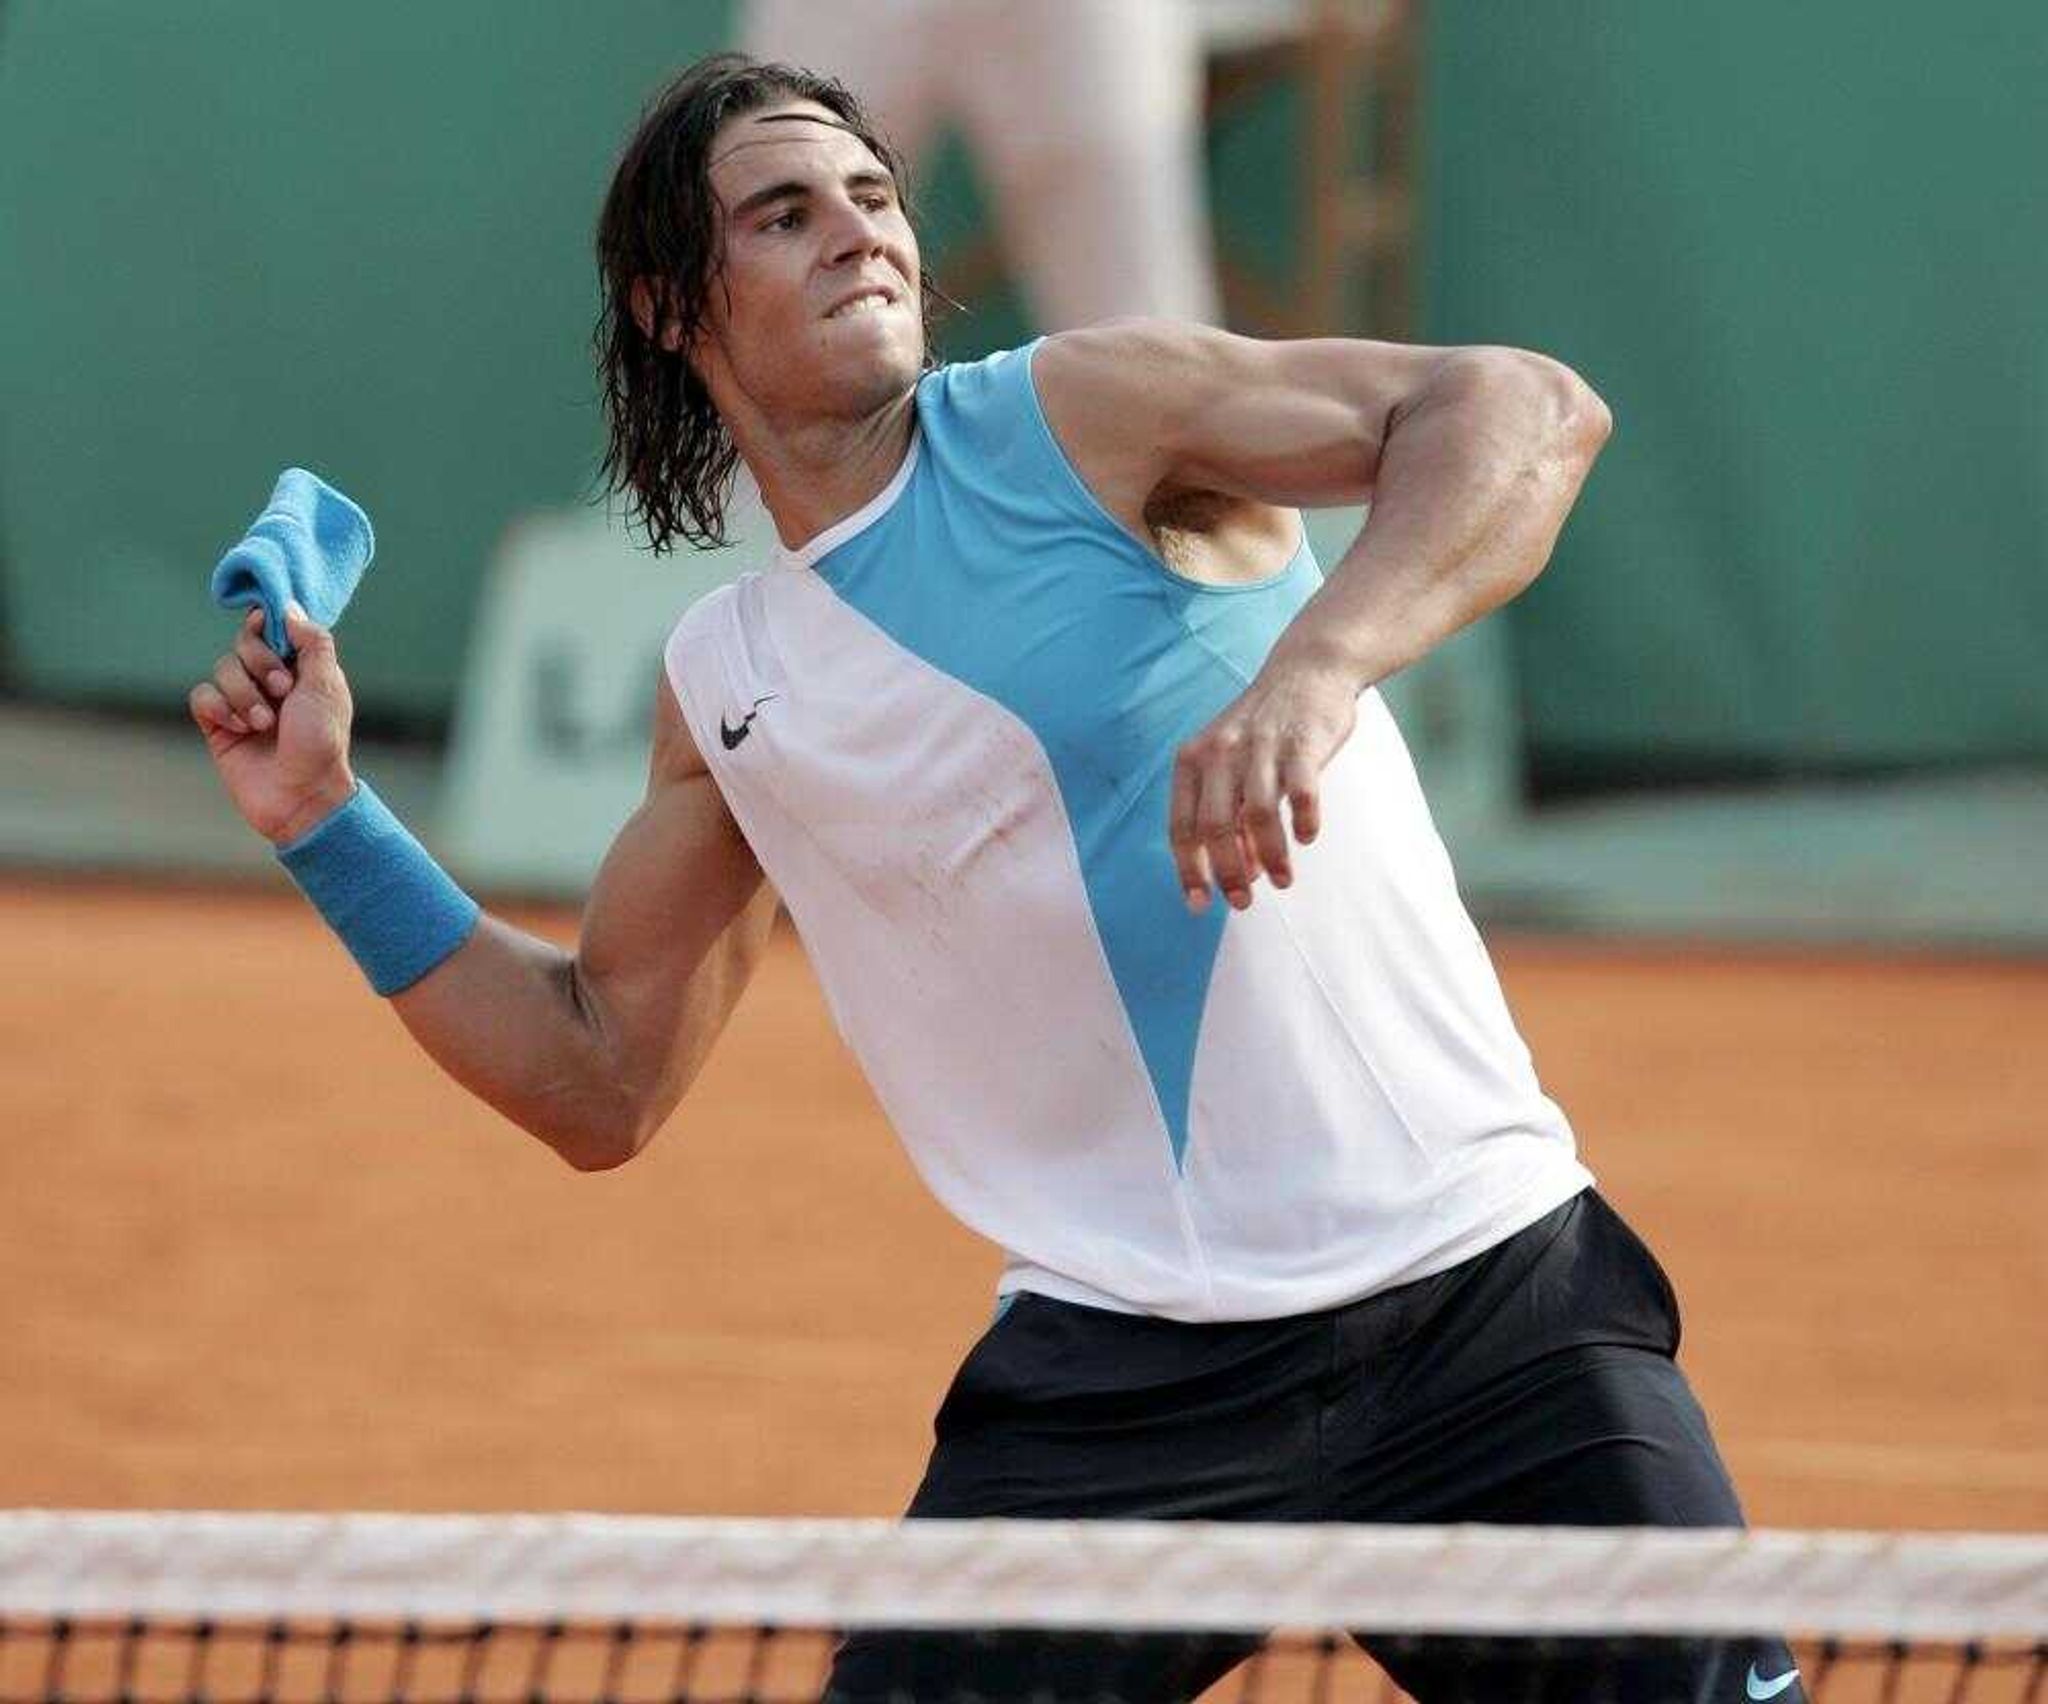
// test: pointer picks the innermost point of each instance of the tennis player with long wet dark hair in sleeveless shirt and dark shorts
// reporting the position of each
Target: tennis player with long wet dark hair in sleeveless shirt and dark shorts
(1068, 763)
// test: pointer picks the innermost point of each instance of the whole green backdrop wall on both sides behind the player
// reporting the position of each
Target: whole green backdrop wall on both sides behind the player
(1801, 249)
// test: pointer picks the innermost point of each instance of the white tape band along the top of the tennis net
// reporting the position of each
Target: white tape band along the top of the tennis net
(1023, 1574)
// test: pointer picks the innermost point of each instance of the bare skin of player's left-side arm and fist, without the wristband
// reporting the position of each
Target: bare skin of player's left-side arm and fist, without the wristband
(589, 1050)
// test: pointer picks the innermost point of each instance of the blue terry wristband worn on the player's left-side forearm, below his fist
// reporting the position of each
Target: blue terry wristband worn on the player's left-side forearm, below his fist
(380, 890)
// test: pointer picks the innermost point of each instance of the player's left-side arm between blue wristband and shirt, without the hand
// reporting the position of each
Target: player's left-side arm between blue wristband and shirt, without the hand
(593, 1050)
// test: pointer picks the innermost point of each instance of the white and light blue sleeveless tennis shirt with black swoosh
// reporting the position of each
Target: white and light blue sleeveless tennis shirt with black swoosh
(947, 730)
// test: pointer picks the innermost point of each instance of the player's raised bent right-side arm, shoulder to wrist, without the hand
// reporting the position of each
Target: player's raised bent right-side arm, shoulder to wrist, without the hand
(1471, 460)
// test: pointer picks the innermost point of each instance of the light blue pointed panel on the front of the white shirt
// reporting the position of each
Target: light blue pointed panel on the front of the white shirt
(1000, 568)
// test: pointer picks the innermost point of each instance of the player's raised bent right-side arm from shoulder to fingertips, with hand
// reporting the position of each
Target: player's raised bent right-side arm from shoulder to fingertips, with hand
(1471, 460)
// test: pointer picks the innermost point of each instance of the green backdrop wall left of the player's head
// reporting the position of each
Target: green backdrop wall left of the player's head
(243, 235)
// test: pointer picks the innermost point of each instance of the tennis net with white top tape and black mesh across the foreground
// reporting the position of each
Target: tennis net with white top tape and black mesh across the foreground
(226, 1609)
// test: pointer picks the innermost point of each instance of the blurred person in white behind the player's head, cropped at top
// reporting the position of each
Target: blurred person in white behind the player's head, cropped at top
(1084, 116)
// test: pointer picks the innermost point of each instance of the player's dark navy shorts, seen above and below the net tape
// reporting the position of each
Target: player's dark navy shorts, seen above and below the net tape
(1531, 1386)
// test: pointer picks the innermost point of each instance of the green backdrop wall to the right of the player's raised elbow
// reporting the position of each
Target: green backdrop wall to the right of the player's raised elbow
(1805, 255)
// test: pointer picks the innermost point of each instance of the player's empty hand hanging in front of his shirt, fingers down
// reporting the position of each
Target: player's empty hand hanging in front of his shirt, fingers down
(1226, 820)
